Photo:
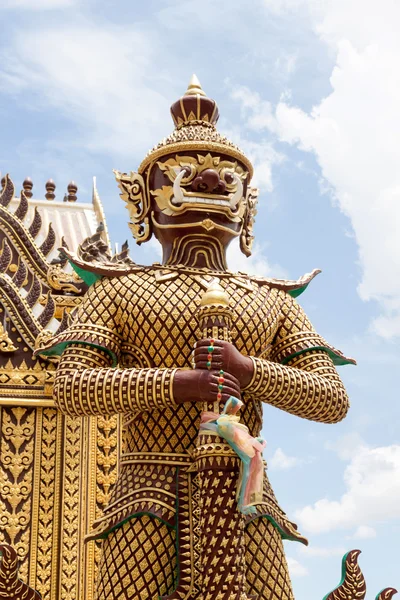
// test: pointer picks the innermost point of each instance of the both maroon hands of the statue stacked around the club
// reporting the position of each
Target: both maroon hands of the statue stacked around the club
(203, 382)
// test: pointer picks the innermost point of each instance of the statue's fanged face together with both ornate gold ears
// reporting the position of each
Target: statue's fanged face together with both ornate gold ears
(202, 193)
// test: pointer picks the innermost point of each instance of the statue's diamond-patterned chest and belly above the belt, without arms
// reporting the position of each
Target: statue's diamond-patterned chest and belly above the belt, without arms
(158, 324)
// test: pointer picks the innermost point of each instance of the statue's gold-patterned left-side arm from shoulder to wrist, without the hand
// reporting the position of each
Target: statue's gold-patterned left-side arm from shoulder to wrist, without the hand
(87, 380)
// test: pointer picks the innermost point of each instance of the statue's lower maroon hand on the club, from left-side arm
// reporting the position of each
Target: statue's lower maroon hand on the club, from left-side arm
(202, 386)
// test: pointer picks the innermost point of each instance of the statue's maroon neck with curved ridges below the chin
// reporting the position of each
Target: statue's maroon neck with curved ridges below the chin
(196, 250)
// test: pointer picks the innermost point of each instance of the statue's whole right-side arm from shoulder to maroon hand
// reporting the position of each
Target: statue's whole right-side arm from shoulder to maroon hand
(299, 375)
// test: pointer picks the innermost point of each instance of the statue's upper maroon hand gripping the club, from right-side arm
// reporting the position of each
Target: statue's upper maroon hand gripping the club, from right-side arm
(226, 357)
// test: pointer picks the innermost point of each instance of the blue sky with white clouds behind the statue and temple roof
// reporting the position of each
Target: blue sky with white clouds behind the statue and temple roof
(311, 90)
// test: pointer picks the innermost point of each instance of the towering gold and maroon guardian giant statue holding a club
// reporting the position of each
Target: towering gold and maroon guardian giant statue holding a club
(130, 346)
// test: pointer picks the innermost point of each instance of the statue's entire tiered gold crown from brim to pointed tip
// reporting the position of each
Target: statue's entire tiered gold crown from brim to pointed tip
(195, 116)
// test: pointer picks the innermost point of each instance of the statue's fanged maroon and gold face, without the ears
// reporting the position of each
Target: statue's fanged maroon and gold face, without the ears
(201, 188)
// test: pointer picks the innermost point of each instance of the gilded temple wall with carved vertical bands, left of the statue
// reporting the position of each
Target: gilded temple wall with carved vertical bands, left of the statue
(55, 477)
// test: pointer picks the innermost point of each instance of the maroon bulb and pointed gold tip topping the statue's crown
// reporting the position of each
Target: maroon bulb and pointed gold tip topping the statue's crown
(194, 108)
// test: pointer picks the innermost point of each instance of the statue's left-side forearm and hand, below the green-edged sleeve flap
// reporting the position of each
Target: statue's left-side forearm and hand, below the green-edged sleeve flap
(87, 384)
